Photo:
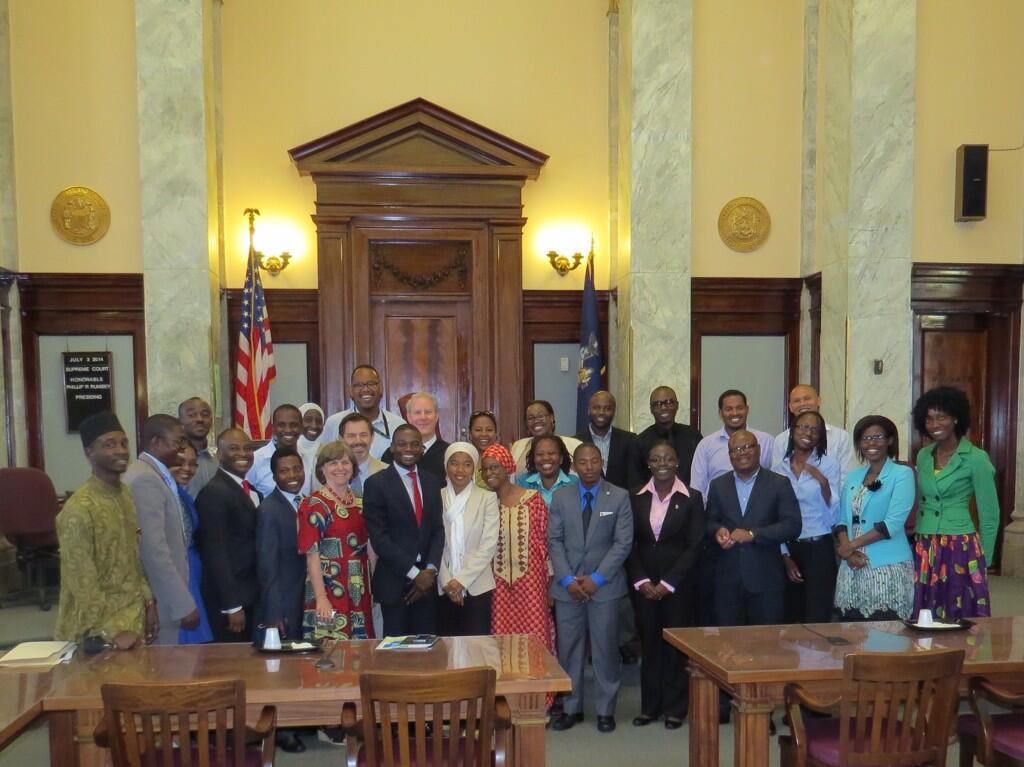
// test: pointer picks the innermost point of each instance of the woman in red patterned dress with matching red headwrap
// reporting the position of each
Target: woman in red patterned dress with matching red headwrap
(522, 570)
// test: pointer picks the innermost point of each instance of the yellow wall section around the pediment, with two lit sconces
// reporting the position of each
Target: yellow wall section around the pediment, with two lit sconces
(534, 70)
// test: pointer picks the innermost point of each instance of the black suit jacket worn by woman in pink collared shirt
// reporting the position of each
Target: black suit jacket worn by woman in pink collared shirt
(672, 557)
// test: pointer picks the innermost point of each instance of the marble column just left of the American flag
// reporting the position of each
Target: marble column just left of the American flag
(177, 88)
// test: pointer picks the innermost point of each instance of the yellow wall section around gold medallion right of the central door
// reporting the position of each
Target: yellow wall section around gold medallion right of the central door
(748, 102)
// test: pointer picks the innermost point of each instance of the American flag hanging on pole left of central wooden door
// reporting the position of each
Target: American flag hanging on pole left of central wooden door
(255, 369)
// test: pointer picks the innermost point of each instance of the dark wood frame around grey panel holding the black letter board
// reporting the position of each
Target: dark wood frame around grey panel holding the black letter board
(78, 305)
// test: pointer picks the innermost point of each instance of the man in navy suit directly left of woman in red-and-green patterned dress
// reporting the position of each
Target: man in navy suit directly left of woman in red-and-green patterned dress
(282, 569)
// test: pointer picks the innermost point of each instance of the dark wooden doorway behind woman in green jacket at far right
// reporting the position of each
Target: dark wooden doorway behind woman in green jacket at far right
(967, 321)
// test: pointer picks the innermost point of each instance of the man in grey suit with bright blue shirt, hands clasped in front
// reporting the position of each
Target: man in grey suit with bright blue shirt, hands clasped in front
(590, 534)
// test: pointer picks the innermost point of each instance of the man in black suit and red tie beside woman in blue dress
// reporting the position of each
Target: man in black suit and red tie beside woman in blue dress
(227, 509)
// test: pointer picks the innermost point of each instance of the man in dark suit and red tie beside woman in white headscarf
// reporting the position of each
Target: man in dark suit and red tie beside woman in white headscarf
(402, 507)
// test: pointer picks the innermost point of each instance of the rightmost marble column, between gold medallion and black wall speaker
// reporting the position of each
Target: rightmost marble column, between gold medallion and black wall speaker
(867, 150)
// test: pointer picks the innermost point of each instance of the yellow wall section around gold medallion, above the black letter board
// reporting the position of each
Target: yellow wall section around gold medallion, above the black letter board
(73, 93)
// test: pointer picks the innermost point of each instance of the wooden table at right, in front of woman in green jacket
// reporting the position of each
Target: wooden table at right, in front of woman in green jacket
(754, 665)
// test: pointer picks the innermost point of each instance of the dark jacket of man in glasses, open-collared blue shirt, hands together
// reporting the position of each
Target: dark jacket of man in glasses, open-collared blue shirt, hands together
(774, 517)
